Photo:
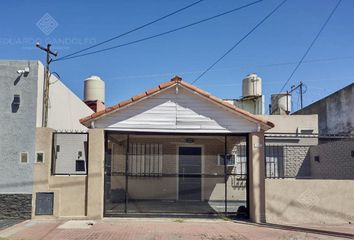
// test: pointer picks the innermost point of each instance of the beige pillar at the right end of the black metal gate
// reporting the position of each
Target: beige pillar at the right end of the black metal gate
(256, 177)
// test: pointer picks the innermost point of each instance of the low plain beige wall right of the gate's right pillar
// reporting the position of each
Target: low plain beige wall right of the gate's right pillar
(295, 201)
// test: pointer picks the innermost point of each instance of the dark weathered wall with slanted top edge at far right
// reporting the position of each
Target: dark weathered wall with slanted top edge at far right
(335, 112)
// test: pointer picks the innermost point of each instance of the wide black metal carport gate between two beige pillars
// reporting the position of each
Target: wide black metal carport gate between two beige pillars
(166, 174)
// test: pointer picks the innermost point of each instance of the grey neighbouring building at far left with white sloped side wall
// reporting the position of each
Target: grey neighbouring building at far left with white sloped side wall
(21, 96)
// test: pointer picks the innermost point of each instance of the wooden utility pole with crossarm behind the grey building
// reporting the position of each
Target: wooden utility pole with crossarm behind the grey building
(46, 81)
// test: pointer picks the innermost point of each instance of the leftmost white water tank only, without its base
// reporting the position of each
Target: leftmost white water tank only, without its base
(94, 89)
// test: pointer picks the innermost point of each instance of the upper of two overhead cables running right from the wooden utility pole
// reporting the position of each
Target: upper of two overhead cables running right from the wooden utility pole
(134, 29)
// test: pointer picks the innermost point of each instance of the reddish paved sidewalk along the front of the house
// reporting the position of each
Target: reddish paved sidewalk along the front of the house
(150, 228)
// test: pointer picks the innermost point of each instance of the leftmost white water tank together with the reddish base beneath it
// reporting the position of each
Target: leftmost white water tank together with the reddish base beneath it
(94, 93)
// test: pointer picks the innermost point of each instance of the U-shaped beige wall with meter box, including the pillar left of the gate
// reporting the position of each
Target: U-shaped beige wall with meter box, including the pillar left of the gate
(74, 196)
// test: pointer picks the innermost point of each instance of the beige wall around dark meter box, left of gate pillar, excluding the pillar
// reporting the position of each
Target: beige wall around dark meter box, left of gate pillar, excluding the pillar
(69, 191)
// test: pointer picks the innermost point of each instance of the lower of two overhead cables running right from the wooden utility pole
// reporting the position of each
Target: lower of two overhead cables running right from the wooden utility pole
(161, 34)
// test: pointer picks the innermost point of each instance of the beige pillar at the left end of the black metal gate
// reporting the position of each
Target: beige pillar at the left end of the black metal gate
(95, 177)
